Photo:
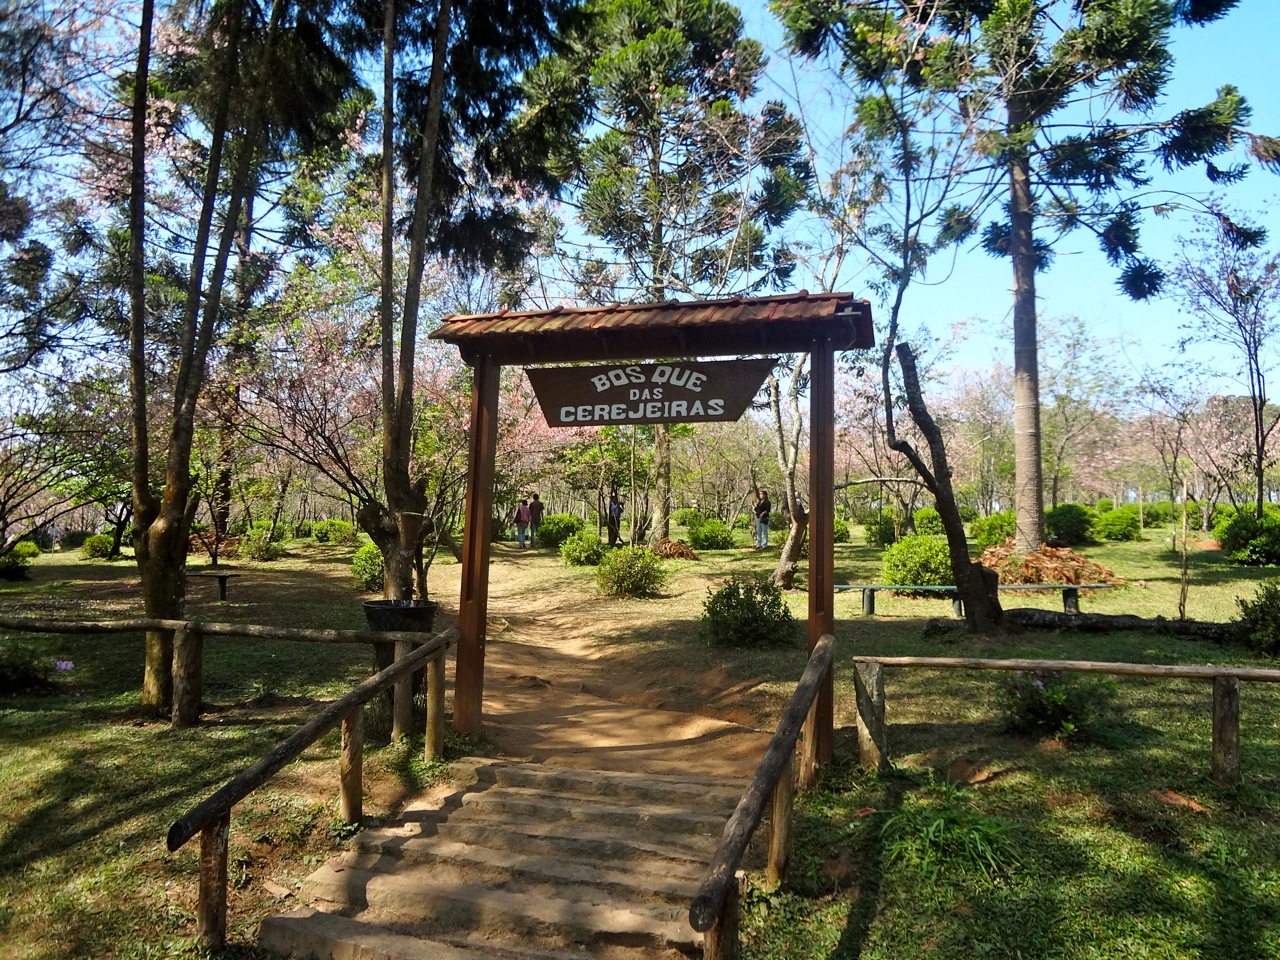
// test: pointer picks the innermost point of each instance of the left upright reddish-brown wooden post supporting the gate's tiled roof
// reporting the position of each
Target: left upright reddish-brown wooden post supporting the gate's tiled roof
(478, 518)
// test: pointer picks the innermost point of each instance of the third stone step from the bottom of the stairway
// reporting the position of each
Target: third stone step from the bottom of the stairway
(639, 851)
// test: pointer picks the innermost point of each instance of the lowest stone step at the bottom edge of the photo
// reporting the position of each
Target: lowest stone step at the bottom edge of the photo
(312, 935)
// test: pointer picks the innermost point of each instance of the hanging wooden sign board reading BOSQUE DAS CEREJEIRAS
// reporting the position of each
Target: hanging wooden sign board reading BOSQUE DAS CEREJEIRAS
(676, 392)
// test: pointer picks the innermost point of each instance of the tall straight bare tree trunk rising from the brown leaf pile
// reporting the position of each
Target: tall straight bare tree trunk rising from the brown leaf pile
(1028, 483)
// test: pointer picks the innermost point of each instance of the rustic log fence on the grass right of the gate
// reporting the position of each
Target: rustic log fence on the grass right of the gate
(870, 683)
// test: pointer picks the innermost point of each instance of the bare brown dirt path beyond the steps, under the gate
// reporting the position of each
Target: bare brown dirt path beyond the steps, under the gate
(554, 696)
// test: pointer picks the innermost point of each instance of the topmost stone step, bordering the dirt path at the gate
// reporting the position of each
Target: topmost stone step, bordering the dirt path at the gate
(661, 789)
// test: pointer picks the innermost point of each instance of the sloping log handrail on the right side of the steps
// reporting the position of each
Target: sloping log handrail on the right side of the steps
(715, 909)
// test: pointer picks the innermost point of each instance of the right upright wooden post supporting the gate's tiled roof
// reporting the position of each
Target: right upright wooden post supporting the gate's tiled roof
(822, 520)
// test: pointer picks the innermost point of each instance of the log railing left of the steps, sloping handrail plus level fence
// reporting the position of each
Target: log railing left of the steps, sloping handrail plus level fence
(212, 817)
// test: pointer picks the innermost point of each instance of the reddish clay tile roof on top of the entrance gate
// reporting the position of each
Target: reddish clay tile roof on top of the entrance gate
(784, 324)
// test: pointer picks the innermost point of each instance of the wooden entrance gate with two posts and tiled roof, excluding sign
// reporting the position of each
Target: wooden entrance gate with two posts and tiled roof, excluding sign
(820, 324)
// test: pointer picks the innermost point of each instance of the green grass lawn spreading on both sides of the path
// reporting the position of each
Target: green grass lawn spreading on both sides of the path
(1040, 851)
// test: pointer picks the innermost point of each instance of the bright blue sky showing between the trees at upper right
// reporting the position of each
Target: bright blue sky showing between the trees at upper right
(1242, 51)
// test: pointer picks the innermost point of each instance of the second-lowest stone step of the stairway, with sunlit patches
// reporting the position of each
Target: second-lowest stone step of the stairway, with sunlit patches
(542, 913)
